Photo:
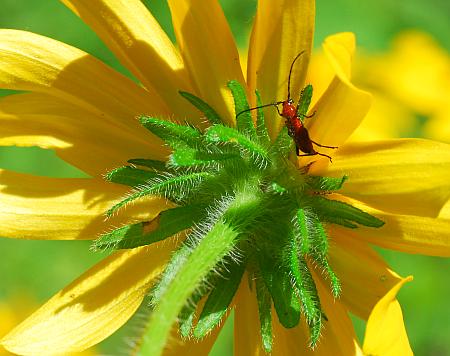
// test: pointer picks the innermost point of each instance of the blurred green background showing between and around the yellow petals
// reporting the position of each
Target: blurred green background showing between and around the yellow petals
(32, 271)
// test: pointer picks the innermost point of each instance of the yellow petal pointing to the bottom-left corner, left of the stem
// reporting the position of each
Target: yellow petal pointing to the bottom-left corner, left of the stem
(93, 306)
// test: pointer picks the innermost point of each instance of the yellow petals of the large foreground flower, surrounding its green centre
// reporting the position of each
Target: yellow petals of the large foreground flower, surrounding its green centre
(86, 112)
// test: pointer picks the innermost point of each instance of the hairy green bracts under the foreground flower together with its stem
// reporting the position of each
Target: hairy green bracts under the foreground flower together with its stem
(247, 210)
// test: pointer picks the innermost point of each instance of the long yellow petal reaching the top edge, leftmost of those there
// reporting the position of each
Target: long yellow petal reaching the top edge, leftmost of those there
(136, 38)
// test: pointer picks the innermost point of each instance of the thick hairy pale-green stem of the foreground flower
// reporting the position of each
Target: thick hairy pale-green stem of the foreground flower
(216, 244)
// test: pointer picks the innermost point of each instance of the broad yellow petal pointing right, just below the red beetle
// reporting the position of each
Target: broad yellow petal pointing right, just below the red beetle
(406, 176)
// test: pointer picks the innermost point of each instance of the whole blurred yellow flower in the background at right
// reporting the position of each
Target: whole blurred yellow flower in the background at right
(410, 80)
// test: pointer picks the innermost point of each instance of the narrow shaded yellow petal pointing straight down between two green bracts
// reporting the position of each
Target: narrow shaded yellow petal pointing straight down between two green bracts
(247, 335)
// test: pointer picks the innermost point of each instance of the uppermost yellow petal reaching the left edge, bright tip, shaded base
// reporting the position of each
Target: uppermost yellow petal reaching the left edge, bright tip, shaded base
(35, 63)
